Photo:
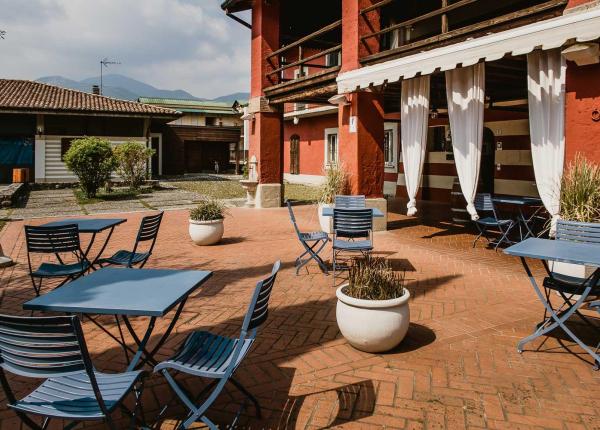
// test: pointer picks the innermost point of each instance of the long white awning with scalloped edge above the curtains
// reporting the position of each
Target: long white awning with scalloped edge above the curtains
(549, 34)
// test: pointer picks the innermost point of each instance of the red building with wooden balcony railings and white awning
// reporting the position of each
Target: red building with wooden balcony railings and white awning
(327, 83)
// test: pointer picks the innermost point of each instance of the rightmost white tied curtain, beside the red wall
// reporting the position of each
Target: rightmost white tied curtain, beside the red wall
(546, 83)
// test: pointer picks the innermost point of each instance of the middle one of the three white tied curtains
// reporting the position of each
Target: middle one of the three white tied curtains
(465, 89)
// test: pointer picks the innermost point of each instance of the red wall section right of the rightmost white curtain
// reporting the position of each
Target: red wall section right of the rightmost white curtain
(583, 99)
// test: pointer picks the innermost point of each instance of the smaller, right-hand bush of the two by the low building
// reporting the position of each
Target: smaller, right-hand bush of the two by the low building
(132, 160)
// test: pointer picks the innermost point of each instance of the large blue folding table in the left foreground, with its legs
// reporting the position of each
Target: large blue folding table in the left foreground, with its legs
(126, 293)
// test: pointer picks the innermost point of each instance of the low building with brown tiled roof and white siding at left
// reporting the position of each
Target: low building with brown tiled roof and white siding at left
(39, 121)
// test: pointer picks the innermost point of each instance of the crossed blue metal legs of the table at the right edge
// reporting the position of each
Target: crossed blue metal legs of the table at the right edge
(559, 320)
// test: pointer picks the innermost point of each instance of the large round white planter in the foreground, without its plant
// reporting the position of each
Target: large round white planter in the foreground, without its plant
(373, 325)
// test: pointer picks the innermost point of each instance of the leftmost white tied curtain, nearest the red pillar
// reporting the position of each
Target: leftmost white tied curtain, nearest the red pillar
(415, 118)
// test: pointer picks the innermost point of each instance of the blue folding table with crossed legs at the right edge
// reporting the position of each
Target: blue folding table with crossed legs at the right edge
(565, 252)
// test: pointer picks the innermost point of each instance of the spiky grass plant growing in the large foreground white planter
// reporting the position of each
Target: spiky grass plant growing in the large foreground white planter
(373, 278)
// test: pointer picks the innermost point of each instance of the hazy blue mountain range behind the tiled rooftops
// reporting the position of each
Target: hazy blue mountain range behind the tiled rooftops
(126, 88)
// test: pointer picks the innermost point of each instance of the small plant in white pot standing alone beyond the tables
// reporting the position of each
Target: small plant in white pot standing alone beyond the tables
(206, 222)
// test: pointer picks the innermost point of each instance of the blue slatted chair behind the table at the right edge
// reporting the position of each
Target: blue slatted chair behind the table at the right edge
(569, 286)
